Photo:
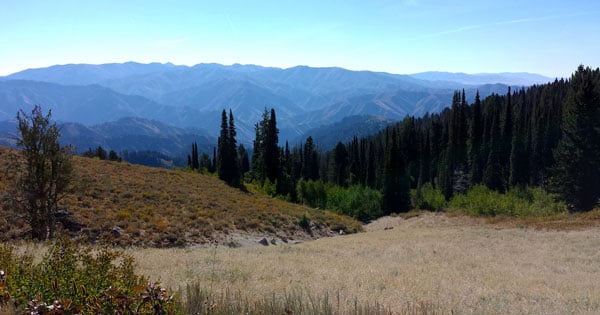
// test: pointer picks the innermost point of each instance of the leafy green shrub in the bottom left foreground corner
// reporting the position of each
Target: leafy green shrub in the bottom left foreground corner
(80, 280)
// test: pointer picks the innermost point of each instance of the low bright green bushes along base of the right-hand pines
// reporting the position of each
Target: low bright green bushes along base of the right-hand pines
(481, 201)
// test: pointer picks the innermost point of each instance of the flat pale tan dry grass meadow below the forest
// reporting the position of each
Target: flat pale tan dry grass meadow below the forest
(449, 264)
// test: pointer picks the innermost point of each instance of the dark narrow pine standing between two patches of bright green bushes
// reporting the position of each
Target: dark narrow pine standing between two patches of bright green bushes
(396, 184)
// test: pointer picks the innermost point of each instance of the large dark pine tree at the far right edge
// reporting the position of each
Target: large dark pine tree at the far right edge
(577, 170)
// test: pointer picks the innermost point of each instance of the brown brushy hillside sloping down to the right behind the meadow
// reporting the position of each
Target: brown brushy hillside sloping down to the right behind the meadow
(158, 207)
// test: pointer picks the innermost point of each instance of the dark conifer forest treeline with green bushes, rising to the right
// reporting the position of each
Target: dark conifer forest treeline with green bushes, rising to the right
(545, 137)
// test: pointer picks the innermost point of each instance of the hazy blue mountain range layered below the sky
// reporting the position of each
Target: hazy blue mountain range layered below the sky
(94, 99)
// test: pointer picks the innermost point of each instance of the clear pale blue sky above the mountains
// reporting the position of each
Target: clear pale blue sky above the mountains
(399, 36)
